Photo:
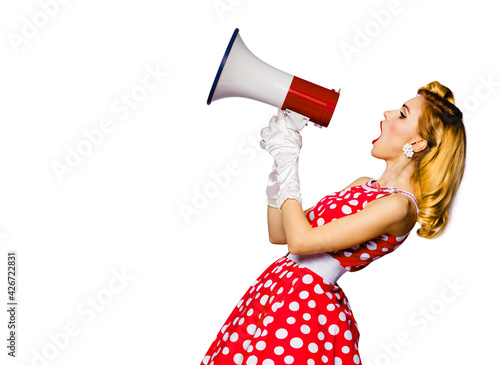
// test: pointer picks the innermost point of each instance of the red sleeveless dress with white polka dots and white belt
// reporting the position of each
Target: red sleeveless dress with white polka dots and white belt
(295, 313)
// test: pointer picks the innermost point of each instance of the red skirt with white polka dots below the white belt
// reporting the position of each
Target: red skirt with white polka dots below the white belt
(290, 315)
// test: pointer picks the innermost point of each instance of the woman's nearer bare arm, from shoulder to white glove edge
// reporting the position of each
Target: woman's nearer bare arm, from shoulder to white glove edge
(393, 214)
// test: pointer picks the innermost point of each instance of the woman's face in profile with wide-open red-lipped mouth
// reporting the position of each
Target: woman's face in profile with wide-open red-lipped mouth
(398, 128)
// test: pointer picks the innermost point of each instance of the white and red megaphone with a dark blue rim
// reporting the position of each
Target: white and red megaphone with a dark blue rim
(242, 74)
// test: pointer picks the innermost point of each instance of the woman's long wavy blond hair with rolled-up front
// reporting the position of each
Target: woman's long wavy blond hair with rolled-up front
(441, 165)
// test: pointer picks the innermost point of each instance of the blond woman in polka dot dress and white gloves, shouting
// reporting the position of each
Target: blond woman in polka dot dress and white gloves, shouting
(295, 313)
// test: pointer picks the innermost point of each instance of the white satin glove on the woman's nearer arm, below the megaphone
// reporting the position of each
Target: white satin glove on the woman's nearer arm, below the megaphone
(283, 142)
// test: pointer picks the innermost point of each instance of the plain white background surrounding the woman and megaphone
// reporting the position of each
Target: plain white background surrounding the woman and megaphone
(119, 209)
